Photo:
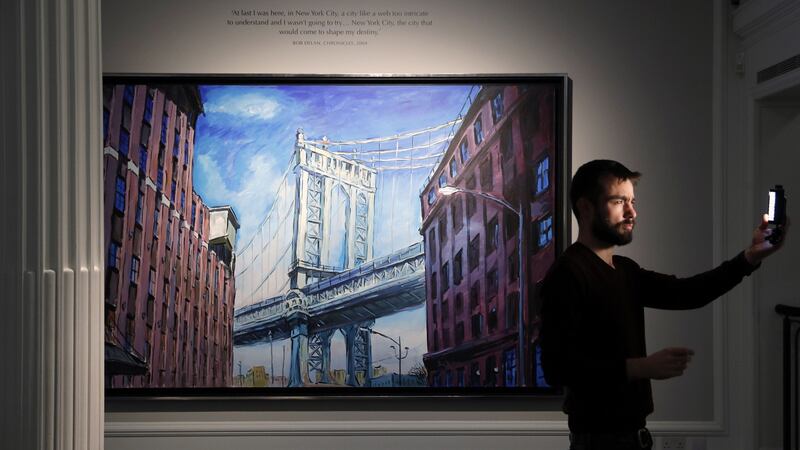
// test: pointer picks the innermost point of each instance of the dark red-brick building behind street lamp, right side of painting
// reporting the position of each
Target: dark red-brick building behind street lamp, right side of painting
(505, 147)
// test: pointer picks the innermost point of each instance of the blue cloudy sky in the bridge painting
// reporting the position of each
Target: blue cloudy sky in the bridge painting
(244, 142)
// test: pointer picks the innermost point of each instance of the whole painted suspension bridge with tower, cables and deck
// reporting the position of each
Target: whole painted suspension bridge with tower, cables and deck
(310, 270)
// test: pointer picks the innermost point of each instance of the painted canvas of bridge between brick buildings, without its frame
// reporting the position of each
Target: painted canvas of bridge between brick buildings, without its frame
(343, 234)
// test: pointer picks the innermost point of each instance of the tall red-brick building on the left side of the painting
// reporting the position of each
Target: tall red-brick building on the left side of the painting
(169, 288)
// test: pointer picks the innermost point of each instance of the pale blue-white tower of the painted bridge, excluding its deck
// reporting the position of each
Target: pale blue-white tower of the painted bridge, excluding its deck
(333, 228)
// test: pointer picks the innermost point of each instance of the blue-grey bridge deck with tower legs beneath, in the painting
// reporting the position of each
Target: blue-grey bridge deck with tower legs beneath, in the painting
(349, 301)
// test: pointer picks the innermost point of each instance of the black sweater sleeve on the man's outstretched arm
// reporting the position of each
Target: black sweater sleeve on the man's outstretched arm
(669, 292)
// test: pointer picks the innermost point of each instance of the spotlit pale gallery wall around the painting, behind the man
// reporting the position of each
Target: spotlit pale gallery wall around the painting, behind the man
(642, 76)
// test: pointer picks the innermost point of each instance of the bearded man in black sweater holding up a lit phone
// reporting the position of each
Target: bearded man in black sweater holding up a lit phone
(592, 338)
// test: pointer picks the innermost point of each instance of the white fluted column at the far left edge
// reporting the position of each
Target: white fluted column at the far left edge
(51, 266)
